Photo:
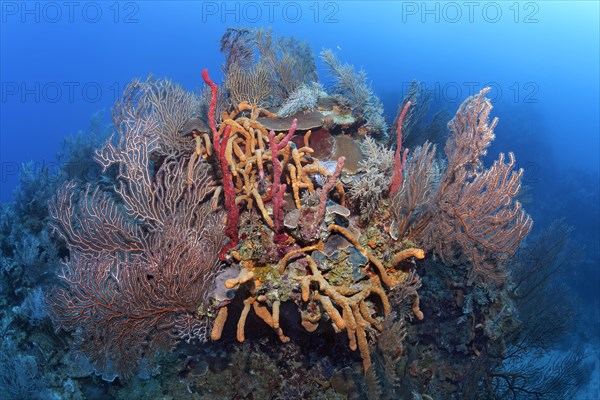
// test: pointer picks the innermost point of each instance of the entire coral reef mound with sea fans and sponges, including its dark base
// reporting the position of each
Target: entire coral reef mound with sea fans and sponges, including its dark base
(261, 241)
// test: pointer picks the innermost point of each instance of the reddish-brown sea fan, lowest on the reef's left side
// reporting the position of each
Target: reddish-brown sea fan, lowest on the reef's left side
(128, 306)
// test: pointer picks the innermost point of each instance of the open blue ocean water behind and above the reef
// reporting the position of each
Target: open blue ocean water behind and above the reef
(61, 62)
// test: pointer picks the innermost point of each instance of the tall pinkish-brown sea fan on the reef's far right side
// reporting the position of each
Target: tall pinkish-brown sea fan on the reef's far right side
(477, 219)
